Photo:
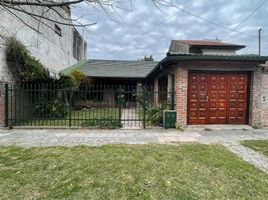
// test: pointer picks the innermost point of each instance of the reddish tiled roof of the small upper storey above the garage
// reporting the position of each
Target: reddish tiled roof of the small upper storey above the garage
(207, 43)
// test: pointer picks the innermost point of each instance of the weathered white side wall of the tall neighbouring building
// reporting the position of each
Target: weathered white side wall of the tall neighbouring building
(54, 51)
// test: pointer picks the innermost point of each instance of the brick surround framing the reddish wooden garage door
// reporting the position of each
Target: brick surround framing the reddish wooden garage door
(255, 104)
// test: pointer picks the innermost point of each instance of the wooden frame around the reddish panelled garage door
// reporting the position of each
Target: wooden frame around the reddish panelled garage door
(249, 88)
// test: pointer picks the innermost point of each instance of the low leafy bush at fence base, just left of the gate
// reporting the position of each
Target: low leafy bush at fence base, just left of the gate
(104, 123)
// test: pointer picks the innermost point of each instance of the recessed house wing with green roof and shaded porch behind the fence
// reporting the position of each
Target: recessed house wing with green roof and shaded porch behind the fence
(108, 74)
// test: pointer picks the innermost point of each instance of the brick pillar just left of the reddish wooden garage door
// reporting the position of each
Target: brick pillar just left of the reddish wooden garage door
(181, 85)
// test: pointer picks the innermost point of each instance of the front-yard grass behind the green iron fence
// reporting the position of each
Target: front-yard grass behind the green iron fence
(77, 117)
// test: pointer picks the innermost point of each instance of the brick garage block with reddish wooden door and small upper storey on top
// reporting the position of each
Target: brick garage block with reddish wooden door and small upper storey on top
(213, 85)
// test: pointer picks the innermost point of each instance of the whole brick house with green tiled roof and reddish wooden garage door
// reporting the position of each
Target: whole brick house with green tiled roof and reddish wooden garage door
(212, 84)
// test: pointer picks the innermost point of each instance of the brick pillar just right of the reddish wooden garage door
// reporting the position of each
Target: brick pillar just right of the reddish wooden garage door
(255, 108)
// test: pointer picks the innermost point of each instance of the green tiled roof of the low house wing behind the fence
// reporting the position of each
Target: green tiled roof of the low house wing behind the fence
(113, 68)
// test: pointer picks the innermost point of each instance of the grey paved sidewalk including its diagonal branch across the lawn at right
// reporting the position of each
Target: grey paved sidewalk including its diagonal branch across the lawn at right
(230, 138)
